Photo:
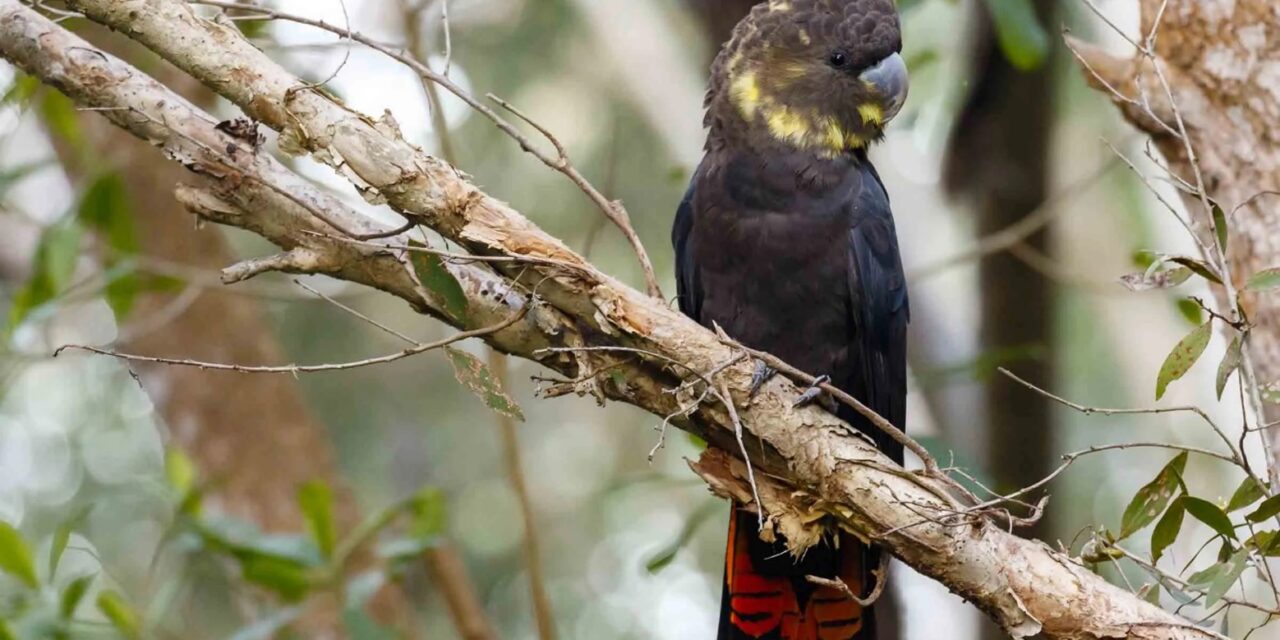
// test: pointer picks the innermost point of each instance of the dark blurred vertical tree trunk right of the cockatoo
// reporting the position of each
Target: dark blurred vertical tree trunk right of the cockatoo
(999, 162)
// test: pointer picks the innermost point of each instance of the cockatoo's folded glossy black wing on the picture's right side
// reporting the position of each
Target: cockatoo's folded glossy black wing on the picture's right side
(880, 314)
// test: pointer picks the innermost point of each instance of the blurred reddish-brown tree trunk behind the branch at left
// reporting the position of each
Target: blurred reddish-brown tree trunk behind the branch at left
(252, 437)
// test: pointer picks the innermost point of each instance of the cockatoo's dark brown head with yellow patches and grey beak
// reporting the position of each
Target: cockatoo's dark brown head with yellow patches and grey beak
(813, 75)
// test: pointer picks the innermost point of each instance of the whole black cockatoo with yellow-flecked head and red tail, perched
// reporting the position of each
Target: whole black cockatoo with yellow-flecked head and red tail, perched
(787, 241)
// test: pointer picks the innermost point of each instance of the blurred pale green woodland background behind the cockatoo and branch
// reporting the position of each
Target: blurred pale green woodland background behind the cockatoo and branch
(150, 502)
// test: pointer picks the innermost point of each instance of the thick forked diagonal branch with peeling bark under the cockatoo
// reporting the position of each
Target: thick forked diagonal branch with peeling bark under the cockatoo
(584, 324)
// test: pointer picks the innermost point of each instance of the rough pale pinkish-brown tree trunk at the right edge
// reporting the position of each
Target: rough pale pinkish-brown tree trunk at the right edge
(1223, 67)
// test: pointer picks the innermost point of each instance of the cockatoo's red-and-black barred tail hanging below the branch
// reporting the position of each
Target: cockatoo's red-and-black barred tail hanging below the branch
(769, 597)
